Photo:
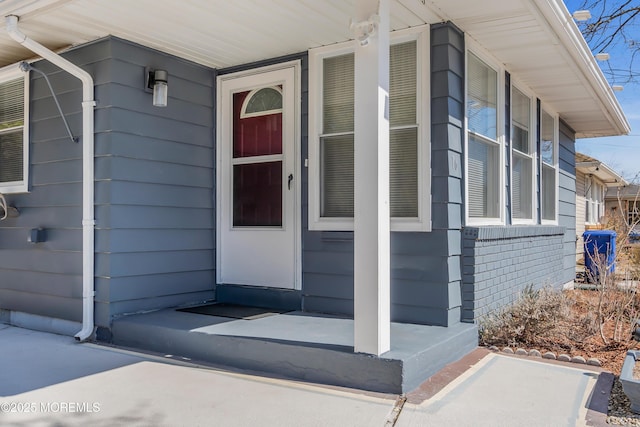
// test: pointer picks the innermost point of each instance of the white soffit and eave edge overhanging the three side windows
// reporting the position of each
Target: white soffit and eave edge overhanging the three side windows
(540, 45)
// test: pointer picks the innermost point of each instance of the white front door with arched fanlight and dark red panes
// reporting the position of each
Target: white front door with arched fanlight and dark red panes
(257, 179)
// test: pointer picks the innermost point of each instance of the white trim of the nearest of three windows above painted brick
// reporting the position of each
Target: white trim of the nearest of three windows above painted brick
(483, 55)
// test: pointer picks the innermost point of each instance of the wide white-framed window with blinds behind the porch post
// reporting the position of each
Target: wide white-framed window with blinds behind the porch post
(331, 155)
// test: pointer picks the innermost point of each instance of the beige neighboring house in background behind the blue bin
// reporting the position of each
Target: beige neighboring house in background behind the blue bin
(593, 180)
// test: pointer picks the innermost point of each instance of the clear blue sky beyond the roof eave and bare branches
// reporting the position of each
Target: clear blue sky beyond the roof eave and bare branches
(621, 153)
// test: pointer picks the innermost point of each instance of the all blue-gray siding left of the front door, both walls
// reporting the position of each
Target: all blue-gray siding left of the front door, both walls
(154, 190)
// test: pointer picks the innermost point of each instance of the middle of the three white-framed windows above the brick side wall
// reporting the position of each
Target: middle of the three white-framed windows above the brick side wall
(521, 157)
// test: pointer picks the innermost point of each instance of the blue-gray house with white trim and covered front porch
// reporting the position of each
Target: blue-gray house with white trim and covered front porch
(267, 179)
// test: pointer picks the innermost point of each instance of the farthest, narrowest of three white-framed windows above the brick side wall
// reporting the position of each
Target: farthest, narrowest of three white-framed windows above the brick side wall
(548, 167)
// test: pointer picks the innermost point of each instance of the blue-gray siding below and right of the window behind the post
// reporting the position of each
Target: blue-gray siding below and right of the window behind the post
(425, 267)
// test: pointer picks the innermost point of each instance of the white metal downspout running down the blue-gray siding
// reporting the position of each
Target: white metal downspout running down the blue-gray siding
(88, 221)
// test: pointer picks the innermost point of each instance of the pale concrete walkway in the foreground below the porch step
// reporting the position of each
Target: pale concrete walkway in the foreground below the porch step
(49, 380)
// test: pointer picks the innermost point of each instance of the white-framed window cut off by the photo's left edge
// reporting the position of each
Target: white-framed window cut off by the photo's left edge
(13, 131)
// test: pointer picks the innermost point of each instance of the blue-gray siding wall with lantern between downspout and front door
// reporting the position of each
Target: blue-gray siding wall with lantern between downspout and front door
(154, 186)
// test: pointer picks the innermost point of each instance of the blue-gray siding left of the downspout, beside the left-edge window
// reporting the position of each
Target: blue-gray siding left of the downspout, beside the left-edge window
(46, 278)
